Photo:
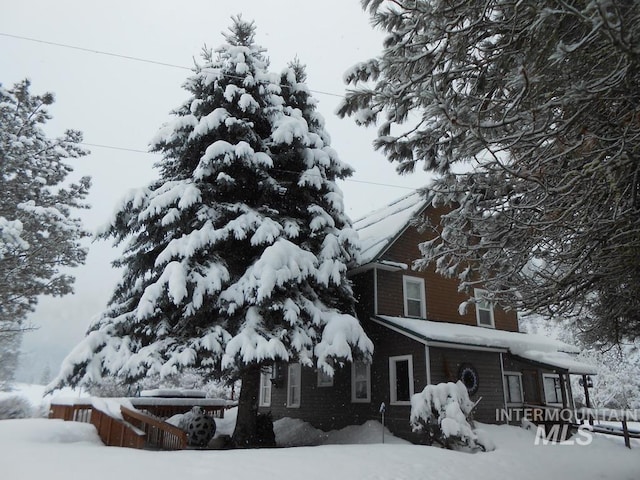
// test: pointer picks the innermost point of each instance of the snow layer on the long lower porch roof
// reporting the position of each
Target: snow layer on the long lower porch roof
(536, 348)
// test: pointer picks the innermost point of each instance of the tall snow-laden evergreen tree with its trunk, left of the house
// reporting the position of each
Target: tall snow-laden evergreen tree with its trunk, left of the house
(236, 256)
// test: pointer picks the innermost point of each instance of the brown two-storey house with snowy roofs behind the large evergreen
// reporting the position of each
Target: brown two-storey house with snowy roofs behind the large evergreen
(421, 336)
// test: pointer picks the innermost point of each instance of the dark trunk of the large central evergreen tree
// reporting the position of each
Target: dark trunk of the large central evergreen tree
(245, 433)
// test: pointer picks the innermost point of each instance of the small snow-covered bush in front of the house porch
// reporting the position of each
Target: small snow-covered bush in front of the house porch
(443, 413)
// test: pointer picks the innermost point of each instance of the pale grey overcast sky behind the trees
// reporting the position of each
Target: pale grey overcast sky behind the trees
(120, 103)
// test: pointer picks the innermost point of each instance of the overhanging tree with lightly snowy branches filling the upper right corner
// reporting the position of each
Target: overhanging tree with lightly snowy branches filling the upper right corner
(529, 114)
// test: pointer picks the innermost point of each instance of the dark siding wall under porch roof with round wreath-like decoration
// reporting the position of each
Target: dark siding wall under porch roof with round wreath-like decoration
(446, 362)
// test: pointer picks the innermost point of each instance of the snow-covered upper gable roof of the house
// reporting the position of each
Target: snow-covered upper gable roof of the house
(378, 229)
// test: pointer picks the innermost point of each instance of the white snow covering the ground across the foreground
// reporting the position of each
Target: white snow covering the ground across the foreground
(57, 450)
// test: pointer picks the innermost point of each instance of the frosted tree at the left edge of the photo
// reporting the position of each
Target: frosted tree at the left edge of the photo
(38, 234)
